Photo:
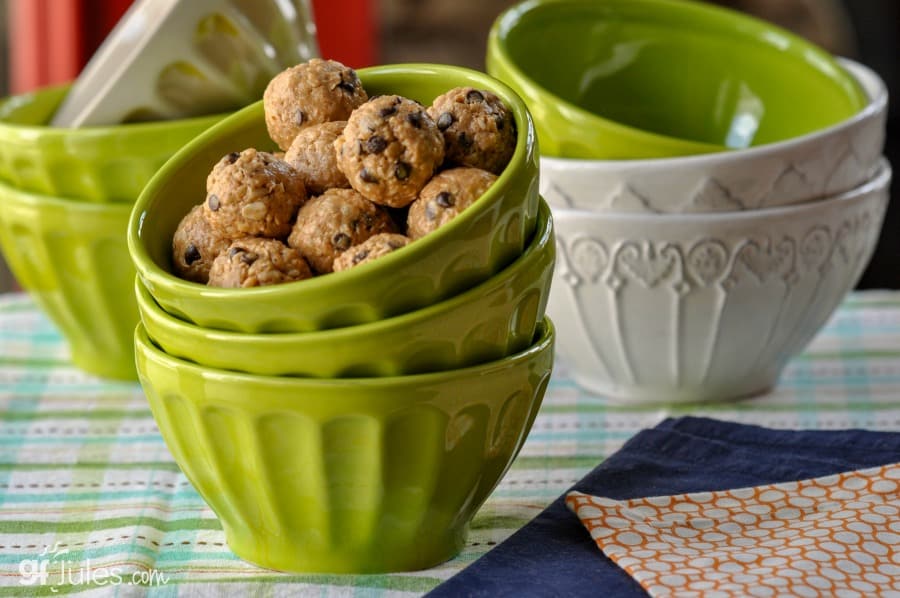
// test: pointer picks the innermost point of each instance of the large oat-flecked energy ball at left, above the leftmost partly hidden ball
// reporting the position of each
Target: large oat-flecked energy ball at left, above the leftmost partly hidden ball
(252, 194)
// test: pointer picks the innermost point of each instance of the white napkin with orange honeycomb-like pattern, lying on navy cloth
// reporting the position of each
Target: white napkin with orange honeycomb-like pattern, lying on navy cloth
(837, 535)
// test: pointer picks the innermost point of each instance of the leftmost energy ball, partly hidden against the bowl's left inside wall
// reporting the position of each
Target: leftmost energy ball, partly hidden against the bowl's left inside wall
(195, 245)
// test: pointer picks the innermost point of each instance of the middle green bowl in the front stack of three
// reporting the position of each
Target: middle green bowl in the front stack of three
(488, 322)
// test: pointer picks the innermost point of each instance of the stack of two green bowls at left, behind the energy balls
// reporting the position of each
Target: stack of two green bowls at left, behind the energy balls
(65, 199)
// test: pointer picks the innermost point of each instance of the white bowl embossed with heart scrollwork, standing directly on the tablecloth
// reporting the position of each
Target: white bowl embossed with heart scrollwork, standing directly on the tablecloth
(697, 307)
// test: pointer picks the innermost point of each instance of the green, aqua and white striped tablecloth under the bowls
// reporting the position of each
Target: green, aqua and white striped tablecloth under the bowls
(87, 485)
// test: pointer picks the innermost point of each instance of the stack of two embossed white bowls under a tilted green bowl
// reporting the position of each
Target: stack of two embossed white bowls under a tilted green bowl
(697, 278)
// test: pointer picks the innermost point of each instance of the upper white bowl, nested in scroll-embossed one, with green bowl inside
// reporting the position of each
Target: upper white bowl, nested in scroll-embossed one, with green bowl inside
(820, 164)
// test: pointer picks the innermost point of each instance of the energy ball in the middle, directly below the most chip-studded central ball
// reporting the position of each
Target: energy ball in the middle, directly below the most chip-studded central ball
(335, 221)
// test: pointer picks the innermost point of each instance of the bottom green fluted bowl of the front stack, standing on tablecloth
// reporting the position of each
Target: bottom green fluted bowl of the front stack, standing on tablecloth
(345, 476)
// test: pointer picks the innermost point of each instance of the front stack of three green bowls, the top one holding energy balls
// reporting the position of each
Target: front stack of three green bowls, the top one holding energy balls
(354, 422)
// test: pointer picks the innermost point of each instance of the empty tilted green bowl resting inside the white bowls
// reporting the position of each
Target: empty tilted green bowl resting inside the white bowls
(614, 79)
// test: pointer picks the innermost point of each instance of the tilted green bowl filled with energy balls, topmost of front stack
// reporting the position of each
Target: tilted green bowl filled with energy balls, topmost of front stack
(490, 234)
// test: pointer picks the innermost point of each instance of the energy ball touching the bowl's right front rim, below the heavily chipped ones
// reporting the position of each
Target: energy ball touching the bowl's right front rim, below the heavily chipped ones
(444, 197)
